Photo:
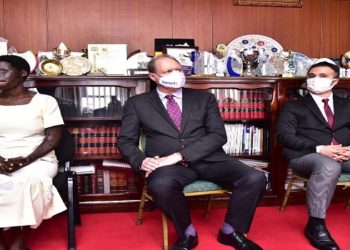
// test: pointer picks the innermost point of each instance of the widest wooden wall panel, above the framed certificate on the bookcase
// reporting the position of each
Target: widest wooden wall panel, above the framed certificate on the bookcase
(80, 22)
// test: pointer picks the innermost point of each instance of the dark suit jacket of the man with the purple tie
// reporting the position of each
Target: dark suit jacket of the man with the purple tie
(201, 138)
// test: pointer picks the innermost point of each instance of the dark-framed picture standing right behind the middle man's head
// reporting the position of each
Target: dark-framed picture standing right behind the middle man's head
(184, 54)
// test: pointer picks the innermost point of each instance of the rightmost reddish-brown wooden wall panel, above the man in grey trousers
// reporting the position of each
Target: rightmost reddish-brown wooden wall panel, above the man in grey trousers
(336, 37)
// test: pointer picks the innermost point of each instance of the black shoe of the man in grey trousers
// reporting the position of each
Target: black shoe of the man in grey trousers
(320, 238)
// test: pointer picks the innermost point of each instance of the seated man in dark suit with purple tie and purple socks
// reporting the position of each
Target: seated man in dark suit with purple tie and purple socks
(180, 151)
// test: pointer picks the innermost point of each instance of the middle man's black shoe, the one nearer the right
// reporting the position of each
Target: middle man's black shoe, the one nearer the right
(238, 241)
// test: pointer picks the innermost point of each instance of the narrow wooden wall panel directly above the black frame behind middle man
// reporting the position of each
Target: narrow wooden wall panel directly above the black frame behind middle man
(193, 19)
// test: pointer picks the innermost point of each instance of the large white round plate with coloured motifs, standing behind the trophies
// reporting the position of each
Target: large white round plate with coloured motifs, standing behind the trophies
(265, 45)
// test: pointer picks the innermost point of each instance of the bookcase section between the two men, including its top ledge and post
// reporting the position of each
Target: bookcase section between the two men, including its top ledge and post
(247, 106)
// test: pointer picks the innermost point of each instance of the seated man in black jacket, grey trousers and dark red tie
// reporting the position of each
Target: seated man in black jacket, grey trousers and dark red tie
(315, 134)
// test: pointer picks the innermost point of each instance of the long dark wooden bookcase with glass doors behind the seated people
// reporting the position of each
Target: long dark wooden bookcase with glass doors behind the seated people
(250, 103)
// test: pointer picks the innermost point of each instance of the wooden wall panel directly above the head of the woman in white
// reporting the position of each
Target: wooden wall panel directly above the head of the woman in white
(25, 24)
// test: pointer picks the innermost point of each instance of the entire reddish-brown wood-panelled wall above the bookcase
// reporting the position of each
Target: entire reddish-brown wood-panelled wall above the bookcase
(318, 29)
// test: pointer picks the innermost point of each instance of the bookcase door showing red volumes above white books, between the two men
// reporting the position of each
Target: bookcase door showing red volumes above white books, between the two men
(247, 117)
